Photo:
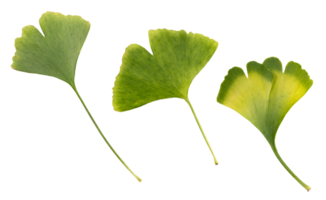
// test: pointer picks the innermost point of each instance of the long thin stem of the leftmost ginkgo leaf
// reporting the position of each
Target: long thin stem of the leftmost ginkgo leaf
(136, 176)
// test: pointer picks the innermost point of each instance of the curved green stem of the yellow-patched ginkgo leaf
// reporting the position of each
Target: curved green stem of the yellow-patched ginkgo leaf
(304, 185)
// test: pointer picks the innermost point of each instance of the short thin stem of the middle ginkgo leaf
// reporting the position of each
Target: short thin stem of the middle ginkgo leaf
(202, 131)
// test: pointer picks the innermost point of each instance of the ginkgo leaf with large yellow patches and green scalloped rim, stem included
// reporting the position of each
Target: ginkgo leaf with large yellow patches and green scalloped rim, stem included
(264, 95)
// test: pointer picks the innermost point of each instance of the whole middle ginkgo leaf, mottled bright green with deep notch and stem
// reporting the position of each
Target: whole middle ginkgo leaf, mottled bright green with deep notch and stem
(164, 72)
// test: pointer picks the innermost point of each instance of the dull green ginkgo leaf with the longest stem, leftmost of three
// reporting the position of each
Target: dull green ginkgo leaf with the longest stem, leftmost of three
(53, 52)
